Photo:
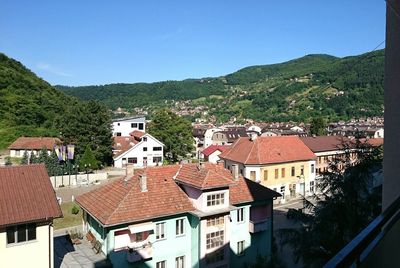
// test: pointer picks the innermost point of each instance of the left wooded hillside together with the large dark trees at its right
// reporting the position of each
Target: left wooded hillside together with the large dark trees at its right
(31, 107)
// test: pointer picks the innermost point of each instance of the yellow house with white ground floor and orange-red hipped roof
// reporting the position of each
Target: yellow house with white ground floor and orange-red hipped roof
(282, 163)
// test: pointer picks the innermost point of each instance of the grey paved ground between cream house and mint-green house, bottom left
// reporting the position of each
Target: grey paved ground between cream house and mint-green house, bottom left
(67, 255)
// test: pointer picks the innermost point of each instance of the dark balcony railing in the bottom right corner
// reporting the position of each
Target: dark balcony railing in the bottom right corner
(376, 245)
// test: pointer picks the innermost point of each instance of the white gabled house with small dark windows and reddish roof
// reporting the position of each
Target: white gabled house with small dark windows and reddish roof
(139, 149)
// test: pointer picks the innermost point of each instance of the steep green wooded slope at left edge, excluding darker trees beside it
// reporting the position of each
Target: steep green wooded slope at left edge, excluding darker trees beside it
(28, 104)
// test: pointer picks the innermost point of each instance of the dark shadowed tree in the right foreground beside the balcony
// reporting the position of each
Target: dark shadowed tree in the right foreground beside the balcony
(346, 205)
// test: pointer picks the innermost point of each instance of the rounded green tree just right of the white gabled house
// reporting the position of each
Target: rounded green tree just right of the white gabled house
(174, 131)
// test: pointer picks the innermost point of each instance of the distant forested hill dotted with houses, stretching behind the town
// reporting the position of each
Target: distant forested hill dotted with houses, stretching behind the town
(337, 88)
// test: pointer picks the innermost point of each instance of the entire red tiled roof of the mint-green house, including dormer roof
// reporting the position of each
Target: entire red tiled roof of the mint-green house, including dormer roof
(123, 202)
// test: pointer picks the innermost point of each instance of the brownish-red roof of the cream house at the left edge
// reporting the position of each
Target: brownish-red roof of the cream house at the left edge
(26, 195)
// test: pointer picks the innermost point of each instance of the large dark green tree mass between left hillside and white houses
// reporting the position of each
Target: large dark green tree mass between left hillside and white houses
(88, 124)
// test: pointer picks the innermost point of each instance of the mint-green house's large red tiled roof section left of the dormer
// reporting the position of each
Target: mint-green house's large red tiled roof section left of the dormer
(121, 202)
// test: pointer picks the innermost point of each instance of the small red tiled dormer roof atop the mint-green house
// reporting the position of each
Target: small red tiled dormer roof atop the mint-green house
(204, 176)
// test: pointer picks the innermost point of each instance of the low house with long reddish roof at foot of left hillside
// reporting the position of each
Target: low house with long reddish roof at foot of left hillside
(32, 145)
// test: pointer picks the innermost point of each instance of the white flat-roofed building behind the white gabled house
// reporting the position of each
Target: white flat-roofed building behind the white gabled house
(124, 126)
